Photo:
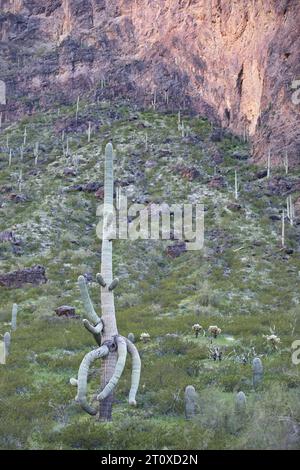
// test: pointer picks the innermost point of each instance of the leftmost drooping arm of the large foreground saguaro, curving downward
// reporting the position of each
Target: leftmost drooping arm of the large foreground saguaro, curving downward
(88, 359)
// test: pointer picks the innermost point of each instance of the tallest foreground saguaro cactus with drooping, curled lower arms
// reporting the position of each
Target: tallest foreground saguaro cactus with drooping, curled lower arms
(112, 348)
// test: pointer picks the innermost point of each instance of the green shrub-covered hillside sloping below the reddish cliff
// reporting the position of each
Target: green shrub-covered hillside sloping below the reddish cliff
(242, 280)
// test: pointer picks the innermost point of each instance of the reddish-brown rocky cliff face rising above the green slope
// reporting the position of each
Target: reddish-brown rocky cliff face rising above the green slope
(234, 61)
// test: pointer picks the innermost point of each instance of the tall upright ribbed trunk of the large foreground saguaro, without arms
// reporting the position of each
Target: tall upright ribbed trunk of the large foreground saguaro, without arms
(107, 296)
